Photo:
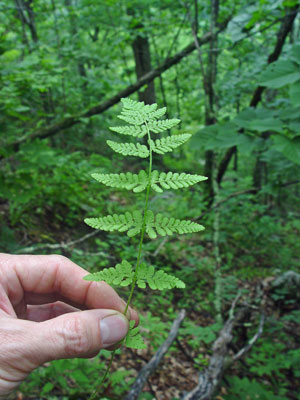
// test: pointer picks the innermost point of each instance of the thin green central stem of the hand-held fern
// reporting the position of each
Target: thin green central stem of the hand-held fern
(138, 261)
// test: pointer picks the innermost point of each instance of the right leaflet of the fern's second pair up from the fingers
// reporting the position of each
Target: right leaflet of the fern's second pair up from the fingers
(167, 226)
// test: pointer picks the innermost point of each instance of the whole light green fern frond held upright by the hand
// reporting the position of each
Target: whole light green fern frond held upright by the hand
(143, 120)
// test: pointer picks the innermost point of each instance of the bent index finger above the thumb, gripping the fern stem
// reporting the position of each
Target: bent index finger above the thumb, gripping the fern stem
(56, 274)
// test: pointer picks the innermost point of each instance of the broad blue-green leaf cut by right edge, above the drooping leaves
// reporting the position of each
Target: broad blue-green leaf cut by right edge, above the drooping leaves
(280, 73)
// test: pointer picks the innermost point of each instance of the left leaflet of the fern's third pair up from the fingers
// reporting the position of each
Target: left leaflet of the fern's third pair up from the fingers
(136, 182)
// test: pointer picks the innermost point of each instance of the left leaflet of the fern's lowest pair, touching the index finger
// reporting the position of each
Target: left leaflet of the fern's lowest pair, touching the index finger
(121, 275)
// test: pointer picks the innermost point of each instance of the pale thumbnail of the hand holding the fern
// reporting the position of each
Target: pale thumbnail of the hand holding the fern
(113, 328)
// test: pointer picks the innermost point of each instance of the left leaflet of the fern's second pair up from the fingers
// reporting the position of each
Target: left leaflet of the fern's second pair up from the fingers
(131, 222)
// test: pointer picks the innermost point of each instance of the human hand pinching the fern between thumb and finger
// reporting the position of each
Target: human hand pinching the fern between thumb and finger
(41, 298)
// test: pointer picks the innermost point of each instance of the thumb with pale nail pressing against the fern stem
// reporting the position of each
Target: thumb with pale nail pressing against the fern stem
(81, 334)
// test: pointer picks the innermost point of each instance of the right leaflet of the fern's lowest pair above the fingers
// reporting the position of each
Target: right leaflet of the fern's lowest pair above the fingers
(157, 279)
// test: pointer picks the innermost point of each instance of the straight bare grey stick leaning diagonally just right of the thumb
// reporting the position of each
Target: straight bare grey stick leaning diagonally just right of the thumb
(149, 368)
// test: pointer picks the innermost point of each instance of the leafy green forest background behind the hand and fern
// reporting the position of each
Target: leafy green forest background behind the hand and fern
(230, 70)
